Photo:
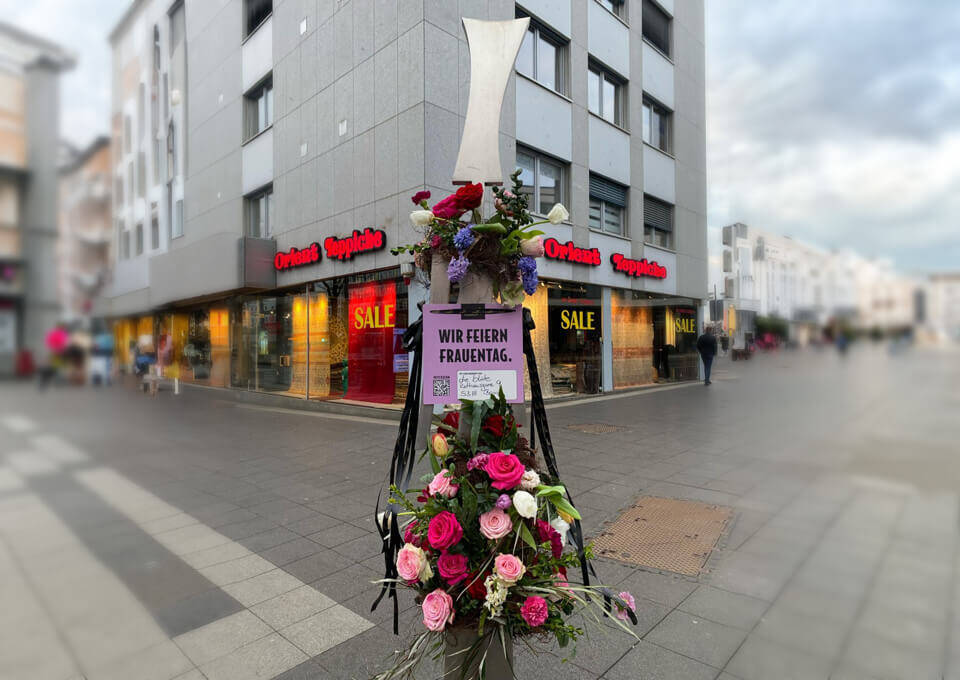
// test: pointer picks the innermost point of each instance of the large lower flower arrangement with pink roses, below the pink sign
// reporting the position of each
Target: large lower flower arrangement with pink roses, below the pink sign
(485, 544)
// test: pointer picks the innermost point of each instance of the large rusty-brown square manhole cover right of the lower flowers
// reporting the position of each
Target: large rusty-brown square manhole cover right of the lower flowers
(664, 533)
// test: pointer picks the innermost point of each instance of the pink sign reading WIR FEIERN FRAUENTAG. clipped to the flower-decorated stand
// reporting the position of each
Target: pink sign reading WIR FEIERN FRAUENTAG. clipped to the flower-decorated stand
(472, 358)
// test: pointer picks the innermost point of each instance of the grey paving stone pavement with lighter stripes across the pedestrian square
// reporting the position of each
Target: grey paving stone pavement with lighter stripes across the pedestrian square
(193, 537)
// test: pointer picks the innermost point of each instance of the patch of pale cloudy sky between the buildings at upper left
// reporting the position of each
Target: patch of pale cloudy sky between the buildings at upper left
(80, 26)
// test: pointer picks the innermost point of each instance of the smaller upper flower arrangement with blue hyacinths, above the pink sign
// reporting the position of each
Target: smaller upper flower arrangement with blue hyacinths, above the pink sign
(502, 247)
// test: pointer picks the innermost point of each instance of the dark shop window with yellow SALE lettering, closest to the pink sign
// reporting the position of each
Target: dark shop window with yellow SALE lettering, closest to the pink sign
(574, 320)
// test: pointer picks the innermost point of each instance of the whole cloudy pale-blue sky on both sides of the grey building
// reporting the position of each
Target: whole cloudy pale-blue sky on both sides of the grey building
(837, 123)
